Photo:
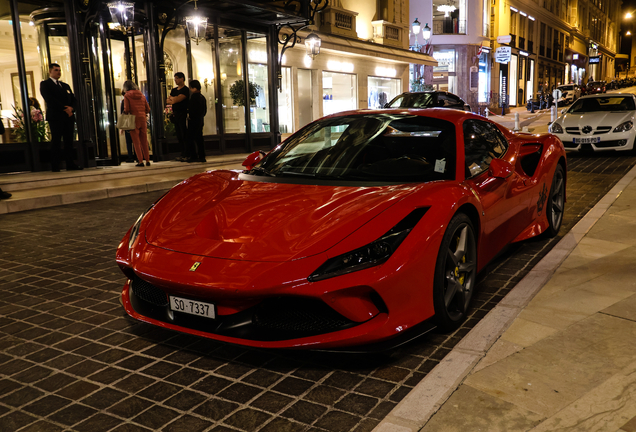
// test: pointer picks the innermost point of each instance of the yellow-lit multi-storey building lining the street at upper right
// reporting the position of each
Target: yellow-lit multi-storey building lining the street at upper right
(555, 42)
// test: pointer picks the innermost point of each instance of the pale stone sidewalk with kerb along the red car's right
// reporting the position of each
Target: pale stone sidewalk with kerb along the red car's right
(558, 352)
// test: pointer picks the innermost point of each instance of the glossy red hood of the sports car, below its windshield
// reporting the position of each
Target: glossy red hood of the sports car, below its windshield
(216, 214)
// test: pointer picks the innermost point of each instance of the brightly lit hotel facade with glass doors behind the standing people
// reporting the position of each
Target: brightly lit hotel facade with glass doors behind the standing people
(364, 60)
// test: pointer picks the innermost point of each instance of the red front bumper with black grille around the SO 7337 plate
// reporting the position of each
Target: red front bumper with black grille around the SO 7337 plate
(272, 305)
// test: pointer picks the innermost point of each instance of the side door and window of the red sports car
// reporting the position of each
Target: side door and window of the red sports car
(505, 201)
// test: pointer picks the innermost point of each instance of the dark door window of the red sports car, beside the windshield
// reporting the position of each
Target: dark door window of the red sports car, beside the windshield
(483, 142)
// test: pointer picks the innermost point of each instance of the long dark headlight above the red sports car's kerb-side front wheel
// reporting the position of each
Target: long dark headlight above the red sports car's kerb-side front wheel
(373, 254)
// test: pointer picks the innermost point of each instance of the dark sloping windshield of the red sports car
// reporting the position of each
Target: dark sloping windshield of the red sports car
(367, 147)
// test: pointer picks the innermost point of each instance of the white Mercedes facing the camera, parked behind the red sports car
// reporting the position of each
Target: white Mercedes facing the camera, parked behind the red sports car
(598, 122)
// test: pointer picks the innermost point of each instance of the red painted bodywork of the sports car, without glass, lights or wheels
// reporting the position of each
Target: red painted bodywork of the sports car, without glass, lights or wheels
(259, 240)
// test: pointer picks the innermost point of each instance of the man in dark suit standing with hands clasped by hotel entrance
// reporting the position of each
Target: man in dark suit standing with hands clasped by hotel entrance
(59, 100)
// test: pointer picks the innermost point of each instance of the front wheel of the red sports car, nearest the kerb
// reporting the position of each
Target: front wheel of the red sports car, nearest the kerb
(455, 273)
